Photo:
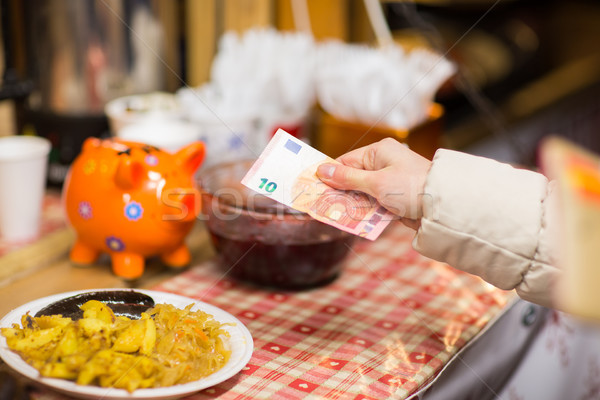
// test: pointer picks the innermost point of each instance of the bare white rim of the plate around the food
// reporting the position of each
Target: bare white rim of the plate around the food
(240, 341)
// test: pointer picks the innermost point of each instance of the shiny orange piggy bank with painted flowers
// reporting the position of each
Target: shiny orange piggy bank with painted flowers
(132, 201)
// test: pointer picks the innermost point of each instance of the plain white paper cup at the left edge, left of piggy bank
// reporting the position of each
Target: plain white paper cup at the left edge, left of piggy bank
(23, 163)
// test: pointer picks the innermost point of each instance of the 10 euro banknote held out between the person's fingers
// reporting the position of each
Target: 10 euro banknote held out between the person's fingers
(286, 172)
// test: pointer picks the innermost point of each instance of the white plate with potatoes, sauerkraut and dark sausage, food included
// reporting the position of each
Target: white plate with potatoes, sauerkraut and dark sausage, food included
(124, 344)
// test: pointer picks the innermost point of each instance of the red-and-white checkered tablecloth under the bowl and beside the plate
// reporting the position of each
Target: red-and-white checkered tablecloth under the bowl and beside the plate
(383, 329)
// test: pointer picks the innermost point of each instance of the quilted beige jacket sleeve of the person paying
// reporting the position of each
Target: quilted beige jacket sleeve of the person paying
(491, 220)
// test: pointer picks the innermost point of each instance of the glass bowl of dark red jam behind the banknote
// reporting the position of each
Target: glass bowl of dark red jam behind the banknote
(263, 242)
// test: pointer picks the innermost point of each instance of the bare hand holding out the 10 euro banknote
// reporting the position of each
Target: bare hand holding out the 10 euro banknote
(387, 170)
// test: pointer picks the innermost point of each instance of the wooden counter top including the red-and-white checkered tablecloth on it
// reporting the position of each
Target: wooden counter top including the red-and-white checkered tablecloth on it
(385, 328)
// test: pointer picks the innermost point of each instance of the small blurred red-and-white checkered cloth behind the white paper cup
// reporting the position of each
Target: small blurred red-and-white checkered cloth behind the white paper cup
(52, 219)
